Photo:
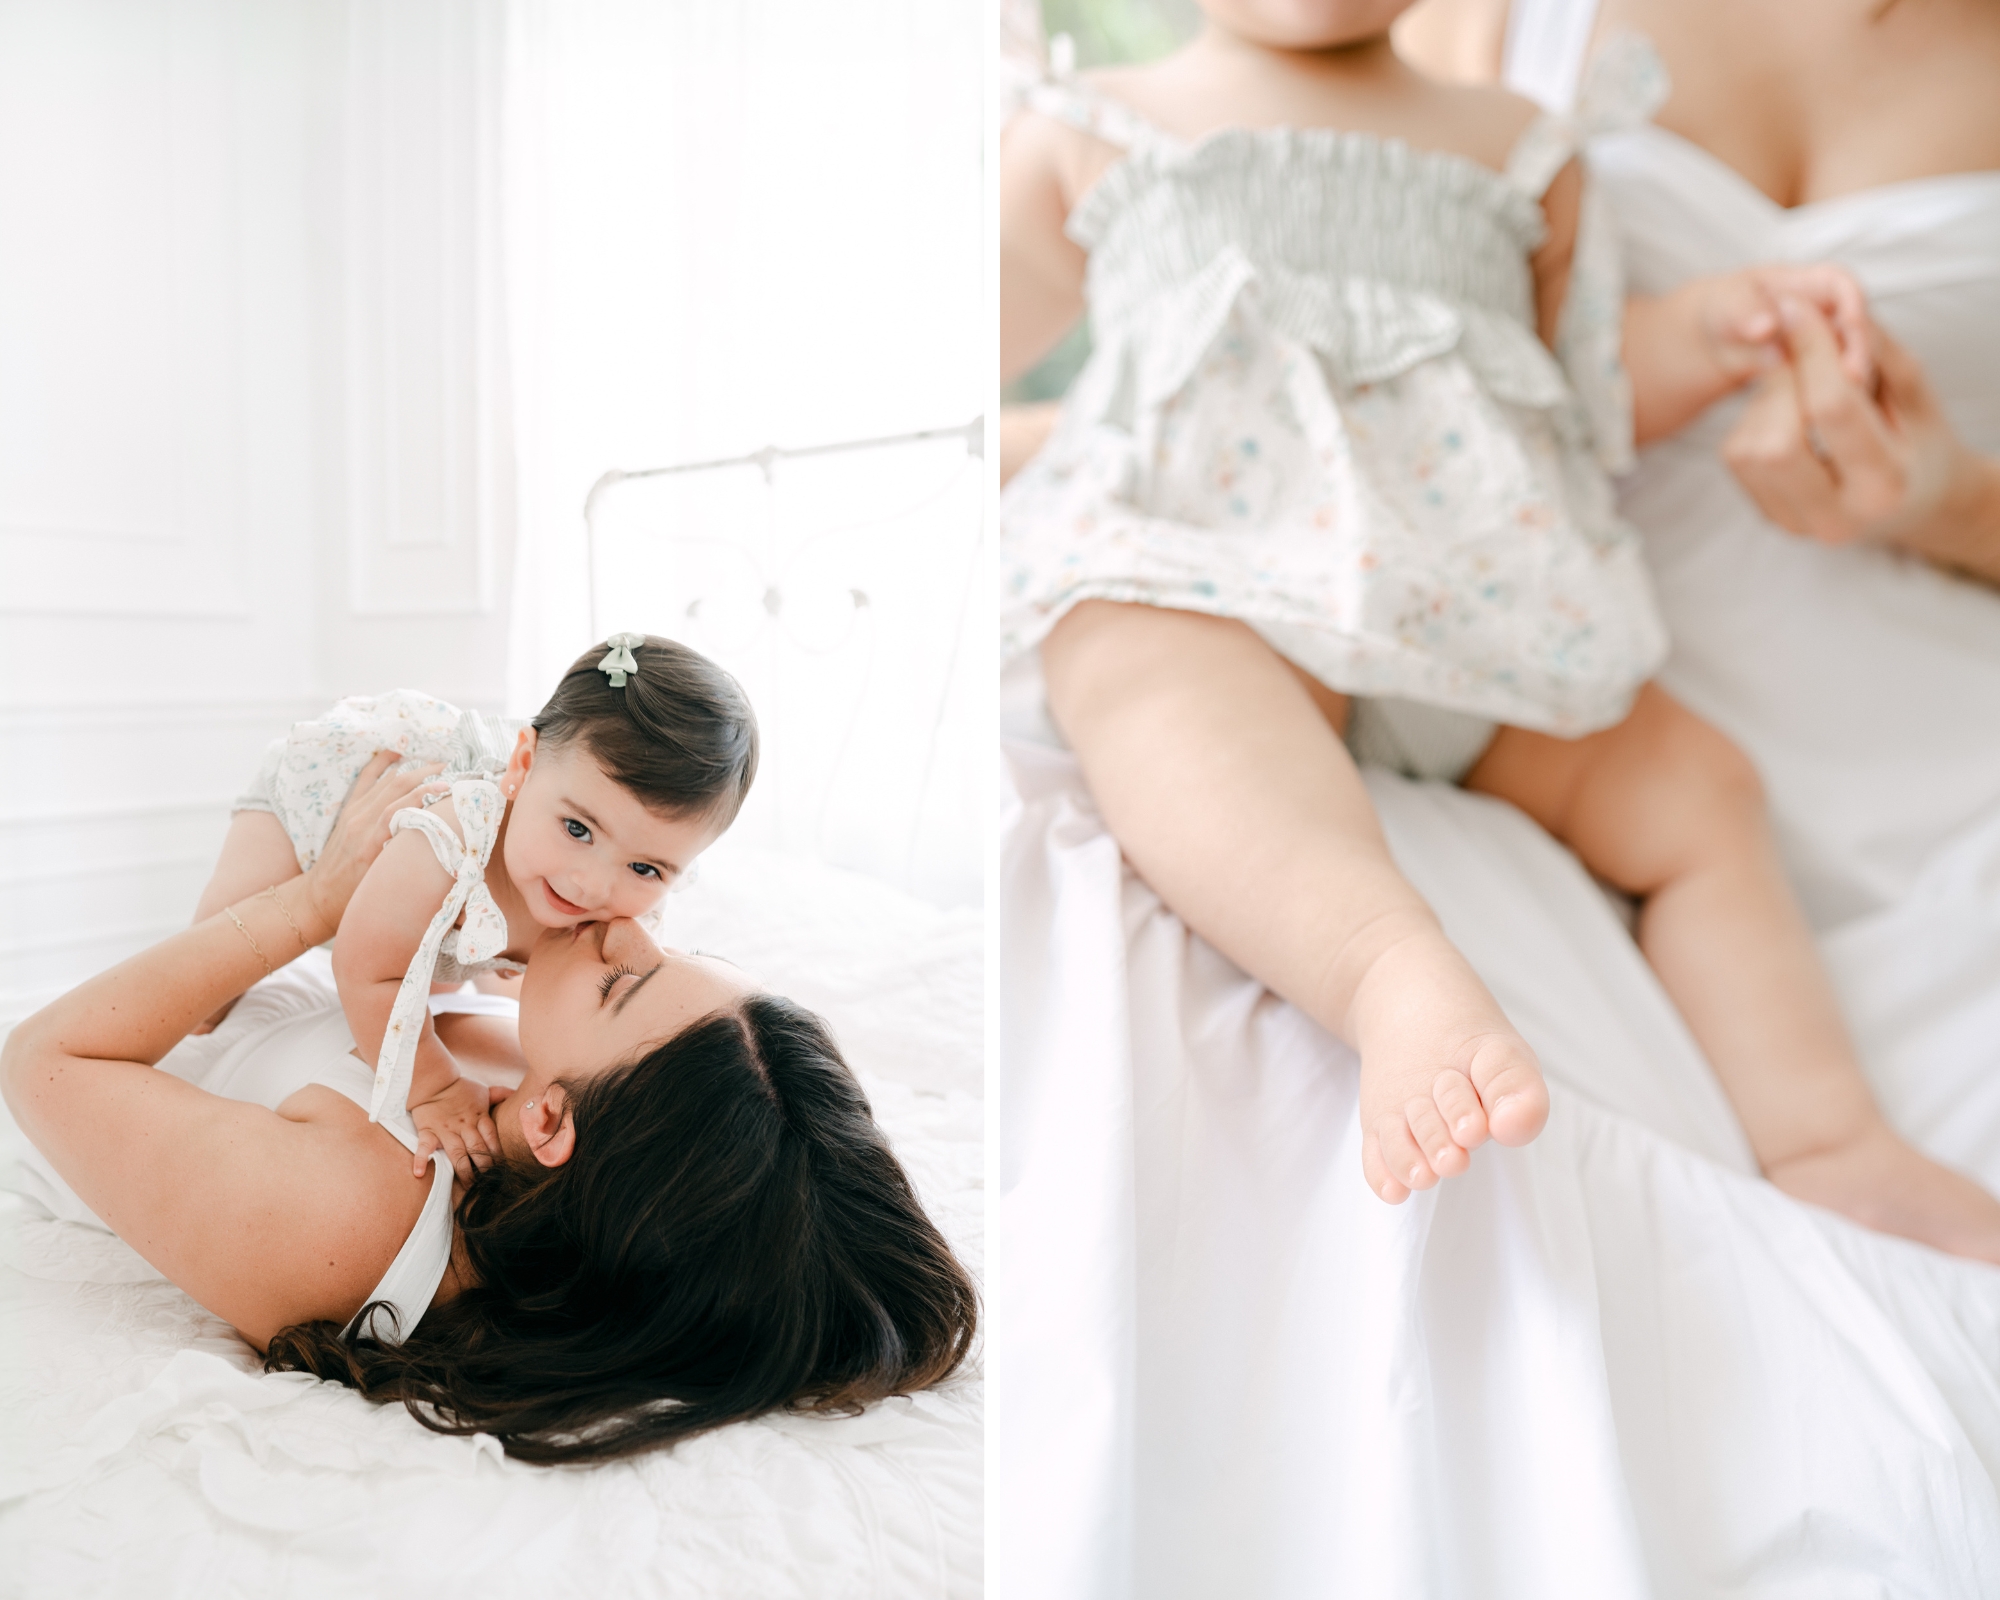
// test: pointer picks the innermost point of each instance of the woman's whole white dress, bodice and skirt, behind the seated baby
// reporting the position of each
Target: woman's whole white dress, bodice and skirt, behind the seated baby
(1611, 1365)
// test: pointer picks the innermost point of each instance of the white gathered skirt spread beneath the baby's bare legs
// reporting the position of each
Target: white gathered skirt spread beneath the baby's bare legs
(1613, 1363)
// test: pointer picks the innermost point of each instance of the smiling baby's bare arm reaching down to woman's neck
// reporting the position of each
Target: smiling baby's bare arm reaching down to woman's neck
(381, 933)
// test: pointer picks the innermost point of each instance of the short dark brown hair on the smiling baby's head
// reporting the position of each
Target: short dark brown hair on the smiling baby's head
(679, 733)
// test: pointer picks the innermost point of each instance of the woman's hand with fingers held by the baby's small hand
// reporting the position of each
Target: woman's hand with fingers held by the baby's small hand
(1827, 459)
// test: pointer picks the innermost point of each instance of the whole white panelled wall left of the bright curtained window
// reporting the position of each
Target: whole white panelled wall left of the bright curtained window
(253, 423)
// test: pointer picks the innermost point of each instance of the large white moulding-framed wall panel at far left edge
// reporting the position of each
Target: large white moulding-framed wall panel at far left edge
(121, 393)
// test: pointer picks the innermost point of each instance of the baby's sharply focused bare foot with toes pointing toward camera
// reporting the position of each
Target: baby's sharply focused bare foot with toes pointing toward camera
(1443, 1069)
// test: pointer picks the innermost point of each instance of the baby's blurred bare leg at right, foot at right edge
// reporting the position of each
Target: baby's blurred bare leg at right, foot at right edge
(1669, 811)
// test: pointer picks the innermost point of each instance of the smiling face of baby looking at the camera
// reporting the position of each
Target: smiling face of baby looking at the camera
(581, 847)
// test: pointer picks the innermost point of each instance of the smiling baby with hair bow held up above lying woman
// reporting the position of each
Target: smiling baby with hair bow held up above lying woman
(637, 765)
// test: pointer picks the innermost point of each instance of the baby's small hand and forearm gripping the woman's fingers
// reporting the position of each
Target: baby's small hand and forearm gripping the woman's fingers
(1707, 339)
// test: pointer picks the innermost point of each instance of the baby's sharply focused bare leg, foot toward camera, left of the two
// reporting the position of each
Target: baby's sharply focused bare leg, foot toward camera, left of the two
(1235, 799)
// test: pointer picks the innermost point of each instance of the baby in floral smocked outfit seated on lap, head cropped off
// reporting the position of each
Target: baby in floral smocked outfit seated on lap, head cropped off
(1339, 467)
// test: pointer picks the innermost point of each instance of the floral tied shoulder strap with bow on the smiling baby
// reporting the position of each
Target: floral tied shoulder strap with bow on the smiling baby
(479, 807)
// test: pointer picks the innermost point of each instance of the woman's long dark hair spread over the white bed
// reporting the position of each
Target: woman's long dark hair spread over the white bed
(731, 1237)
